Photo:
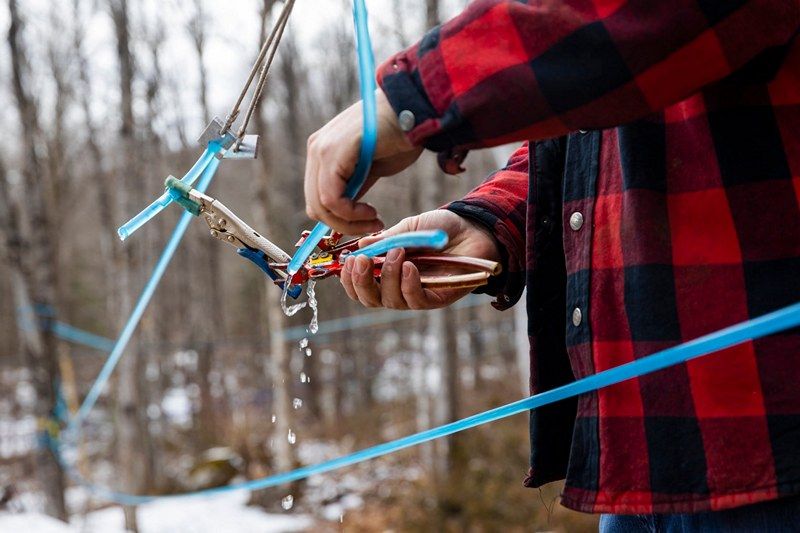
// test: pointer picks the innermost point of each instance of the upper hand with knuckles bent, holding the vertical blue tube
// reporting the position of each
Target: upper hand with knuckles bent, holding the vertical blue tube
(332, 156)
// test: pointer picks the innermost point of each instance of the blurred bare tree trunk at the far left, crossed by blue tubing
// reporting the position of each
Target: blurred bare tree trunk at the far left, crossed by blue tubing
(31, 248)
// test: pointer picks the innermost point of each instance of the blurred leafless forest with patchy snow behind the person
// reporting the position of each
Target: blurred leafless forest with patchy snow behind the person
(100, 100)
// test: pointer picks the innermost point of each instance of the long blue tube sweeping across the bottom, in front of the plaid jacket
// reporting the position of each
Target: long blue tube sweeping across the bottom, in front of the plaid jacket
(780, 320)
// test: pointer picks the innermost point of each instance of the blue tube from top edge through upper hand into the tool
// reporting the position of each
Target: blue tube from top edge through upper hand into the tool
(366, 70)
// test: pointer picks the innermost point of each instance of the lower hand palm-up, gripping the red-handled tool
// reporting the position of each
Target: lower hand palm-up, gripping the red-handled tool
(400, 286)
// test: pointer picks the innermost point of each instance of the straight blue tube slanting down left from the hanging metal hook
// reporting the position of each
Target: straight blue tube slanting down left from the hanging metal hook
(141, 306)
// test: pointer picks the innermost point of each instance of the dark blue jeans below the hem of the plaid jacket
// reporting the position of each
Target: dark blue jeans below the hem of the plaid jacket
(777, 516)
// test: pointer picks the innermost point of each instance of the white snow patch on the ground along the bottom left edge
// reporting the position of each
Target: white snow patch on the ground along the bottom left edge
(225, 513)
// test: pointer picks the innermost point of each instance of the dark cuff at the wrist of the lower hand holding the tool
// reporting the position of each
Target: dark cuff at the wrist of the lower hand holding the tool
(507, 288)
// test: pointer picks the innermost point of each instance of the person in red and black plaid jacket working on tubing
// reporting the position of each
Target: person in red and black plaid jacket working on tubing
(656, 198)
